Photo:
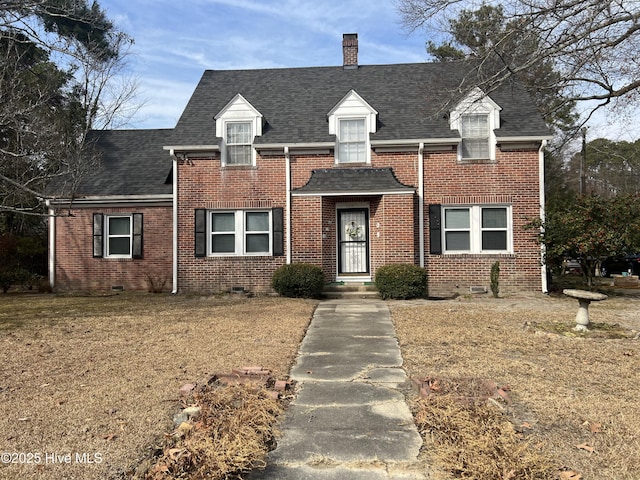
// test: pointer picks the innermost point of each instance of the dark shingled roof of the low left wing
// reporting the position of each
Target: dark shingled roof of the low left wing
(132, 162)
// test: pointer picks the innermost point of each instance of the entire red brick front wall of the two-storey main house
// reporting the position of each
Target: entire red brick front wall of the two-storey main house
(512, 179)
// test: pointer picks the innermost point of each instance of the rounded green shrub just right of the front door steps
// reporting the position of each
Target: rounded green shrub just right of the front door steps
(401, 281)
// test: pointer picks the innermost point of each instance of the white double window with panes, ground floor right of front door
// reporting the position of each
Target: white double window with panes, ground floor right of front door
(477, 229)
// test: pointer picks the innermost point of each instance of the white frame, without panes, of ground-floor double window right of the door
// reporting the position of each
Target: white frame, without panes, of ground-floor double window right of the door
(476, 229)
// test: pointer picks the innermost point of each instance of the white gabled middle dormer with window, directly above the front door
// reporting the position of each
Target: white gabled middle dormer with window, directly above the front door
(352, 121)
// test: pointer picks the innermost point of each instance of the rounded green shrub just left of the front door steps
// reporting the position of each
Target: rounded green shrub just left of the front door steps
(298, 280)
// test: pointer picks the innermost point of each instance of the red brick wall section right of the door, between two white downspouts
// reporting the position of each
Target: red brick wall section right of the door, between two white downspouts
(513, 180)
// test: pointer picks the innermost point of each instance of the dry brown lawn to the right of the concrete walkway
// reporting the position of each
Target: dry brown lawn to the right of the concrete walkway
(575, 397)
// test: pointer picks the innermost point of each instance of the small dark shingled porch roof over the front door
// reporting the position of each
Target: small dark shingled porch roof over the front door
(352, 181)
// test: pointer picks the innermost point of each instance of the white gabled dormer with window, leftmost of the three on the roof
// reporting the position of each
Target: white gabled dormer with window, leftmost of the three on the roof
(237, 124)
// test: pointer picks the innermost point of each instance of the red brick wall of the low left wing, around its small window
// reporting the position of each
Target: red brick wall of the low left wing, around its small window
(77, 270)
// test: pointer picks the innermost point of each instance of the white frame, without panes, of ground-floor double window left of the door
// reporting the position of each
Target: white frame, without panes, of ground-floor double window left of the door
(240, 233)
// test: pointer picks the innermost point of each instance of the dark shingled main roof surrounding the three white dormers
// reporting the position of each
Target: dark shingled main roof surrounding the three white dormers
(412, 101)
